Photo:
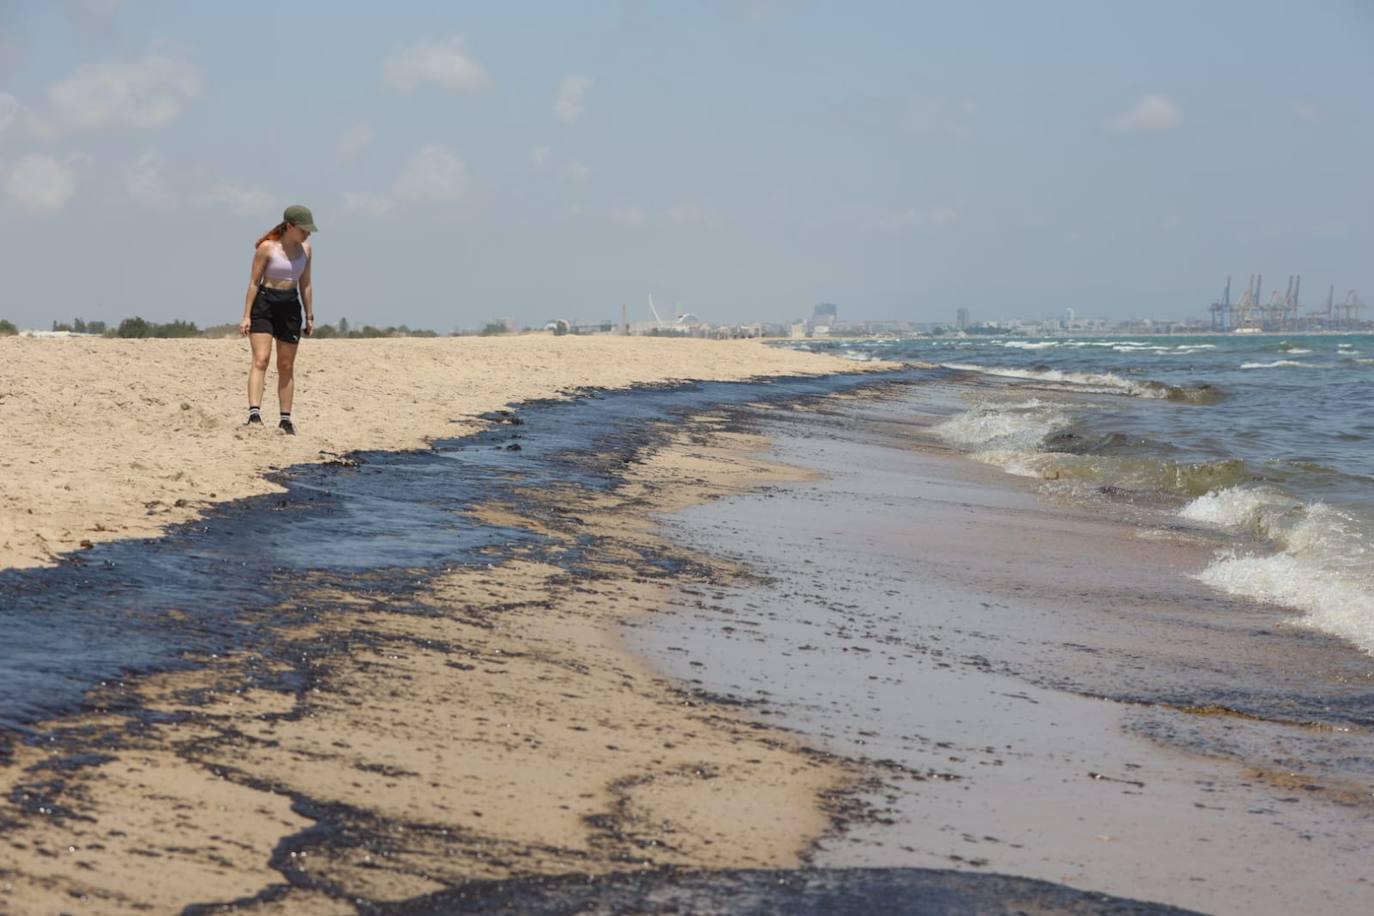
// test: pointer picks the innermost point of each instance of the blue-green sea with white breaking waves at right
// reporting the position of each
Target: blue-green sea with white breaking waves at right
(1261, 437)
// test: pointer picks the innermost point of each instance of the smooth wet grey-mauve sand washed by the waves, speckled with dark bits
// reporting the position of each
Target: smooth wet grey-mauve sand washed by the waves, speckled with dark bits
(1042, 689)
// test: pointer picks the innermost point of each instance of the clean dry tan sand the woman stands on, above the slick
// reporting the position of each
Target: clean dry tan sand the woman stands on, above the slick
(106, 440)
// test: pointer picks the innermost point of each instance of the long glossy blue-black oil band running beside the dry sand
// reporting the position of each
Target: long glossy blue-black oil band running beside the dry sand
(388, 520)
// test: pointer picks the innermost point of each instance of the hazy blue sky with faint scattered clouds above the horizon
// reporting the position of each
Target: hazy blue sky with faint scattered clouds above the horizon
(741, 160)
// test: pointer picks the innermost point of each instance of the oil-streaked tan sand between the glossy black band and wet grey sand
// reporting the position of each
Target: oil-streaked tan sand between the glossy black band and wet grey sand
(409, 738)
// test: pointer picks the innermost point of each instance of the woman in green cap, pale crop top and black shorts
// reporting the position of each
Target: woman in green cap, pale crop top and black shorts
(278, 288)
